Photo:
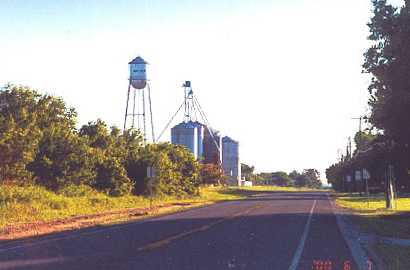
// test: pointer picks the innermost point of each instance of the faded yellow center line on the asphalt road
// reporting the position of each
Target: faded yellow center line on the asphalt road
(168, 240)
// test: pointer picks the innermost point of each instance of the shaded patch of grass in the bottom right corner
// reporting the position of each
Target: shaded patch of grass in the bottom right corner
(395, 257)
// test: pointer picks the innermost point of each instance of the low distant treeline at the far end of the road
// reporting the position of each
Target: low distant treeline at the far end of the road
(307, 178)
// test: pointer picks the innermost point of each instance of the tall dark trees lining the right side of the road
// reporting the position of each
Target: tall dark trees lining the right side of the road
(383, 149)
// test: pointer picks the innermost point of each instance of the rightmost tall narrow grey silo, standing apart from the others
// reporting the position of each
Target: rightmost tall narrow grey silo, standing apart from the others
(230, 160)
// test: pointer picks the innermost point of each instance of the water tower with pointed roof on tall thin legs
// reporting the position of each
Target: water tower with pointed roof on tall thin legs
(138, 87)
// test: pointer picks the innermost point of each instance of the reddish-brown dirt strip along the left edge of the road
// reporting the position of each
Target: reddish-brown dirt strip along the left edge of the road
(17, 231)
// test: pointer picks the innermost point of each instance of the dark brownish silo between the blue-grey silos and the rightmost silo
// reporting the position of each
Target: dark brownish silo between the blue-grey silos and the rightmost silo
(212, 146)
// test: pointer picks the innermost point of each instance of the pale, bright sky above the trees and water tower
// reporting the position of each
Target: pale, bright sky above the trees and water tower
(283, 77)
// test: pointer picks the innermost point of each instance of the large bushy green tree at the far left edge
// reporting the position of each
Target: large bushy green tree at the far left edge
(38, 140)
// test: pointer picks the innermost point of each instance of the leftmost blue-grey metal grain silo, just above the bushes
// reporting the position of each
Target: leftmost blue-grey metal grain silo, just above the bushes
(186, 134)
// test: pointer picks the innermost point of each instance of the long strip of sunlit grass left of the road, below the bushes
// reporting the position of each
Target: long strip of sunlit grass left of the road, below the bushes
(33, 203)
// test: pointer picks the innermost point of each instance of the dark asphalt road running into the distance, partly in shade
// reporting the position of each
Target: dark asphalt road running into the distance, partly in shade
(275, 231)
